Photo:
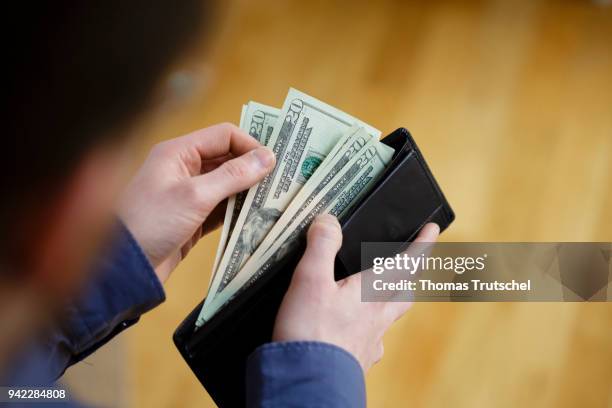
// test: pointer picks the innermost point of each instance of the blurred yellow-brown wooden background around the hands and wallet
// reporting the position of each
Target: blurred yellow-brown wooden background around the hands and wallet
(511, 104)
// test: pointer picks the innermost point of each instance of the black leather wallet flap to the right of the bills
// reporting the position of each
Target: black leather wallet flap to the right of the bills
(405, 198)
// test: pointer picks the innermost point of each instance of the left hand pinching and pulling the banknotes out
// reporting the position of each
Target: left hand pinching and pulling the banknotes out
(174, 198)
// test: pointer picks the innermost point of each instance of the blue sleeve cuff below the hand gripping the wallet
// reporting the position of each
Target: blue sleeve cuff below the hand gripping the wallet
(304, 374)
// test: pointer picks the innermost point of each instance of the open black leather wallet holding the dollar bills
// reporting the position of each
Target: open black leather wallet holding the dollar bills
(405, 198)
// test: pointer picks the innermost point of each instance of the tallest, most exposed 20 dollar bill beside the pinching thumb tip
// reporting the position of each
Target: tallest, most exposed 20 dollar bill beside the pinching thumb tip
(302, 138)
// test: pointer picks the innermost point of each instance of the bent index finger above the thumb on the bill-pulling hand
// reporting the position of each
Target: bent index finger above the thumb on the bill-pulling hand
(219, 140)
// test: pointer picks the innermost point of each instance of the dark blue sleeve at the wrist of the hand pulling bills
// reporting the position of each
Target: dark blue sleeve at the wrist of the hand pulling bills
(123, 287)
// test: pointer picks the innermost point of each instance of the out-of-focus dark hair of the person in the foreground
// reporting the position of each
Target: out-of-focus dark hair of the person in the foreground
(78, 70)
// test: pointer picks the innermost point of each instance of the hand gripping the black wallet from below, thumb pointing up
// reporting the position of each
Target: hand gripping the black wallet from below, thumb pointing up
(317, 308)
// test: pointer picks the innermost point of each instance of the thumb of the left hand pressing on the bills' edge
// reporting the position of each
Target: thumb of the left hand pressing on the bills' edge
(232, 177)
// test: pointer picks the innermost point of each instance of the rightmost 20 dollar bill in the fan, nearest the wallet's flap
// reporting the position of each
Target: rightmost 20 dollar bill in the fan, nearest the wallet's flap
(340, 192)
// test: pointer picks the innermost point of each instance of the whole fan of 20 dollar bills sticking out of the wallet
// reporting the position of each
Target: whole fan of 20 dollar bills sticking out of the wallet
(326, 160)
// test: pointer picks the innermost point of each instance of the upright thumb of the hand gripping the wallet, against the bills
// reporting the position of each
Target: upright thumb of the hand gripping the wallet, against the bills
(324, 241)
